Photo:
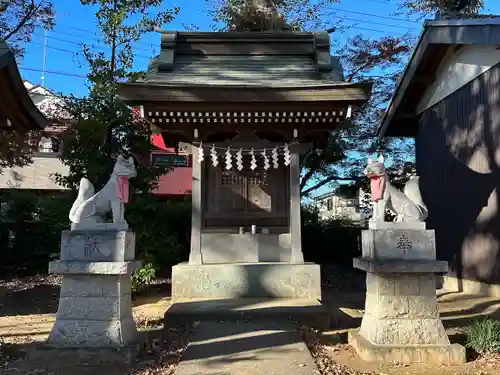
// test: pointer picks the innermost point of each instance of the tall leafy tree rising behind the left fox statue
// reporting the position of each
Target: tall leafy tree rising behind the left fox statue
(103, 125)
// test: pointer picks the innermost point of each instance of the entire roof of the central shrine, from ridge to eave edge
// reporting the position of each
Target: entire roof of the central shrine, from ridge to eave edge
(199, 66)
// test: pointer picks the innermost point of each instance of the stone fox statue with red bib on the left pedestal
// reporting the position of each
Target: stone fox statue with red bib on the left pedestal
(89, 208)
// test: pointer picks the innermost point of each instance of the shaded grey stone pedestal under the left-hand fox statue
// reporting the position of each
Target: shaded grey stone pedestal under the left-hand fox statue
(95, 308)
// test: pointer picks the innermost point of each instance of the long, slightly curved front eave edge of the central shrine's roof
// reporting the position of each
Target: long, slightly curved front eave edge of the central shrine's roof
(142, 93)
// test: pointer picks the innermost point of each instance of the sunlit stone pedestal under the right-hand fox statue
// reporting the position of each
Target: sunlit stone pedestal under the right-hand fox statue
(401, 321)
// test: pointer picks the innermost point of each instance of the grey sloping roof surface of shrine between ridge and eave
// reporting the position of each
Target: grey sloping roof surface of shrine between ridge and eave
(246, 70)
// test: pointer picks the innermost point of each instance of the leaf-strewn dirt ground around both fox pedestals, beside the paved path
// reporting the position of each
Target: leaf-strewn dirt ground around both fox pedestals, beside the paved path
(27, 312)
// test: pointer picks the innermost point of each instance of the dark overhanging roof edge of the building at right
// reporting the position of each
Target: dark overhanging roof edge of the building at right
(400, 118)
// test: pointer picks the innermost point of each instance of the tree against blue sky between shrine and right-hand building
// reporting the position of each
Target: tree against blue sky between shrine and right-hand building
(344, 158)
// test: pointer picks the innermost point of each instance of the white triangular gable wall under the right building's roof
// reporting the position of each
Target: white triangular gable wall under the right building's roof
(456, 70)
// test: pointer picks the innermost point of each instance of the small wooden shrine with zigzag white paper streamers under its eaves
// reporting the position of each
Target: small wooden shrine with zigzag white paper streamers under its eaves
(247, 105)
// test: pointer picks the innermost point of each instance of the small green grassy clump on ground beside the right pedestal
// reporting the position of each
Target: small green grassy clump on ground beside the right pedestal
(484, 336)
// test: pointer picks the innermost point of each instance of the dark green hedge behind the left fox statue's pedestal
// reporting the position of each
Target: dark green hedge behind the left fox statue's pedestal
(31, 225)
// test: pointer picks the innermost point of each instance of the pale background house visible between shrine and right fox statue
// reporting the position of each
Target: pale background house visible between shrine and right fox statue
(339, 206)
